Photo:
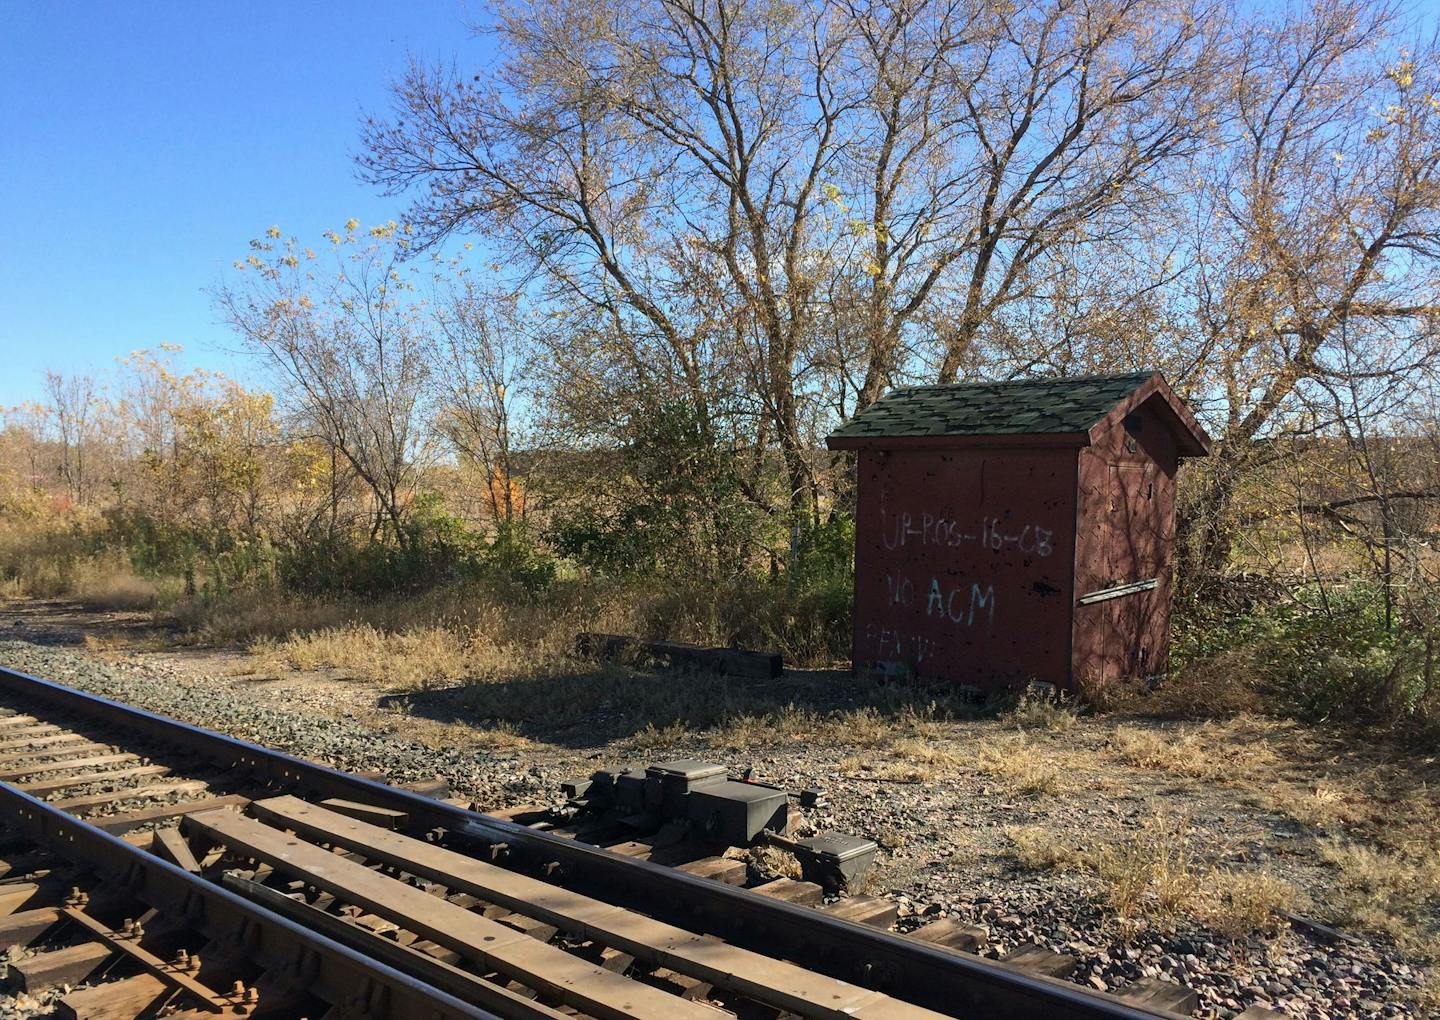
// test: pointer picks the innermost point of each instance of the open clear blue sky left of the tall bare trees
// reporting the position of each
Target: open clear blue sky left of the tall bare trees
(143, 145)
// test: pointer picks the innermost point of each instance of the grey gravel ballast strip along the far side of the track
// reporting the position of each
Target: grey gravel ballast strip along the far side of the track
(925, 867)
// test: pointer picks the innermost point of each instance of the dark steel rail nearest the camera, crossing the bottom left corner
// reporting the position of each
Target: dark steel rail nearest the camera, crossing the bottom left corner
(293, 957)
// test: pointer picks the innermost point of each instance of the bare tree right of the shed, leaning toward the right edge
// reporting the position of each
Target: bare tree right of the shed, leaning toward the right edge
(1320, 231)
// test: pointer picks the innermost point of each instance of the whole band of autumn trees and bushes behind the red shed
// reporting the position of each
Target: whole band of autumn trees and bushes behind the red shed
(706, 231)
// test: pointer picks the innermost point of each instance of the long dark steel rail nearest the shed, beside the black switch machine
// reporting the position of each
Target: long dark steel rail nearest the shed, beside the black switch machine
(934, 977)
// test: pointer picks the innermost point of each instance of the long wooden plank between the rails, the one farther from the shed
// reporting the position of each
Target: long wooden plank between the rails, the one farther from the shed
(548, 969)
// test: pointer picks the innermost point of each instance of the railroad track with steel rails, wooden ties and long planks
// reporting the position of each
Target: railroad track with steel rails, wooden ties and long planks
(172, 871)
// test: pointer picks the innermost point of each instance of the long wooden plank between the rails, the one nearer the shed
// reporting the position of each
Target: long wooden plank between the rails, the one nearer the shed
(764, 979)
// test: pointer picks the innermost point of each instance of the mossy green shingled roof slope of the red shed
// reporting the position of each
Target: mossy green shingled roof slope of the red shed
(989, 408)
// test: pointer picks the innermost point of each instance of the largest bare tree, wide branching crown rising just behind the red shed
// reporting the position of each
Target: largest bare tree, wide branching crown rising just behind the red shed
(715, 176)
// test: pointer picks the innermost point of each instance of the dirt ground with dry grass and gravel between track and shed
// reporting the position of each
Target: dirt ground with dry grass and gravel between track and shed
(1194, 851)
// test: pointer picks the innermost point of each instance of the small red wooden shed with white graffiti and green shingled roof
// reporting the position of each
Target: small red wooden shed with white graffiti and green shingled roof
(1019, 531)
